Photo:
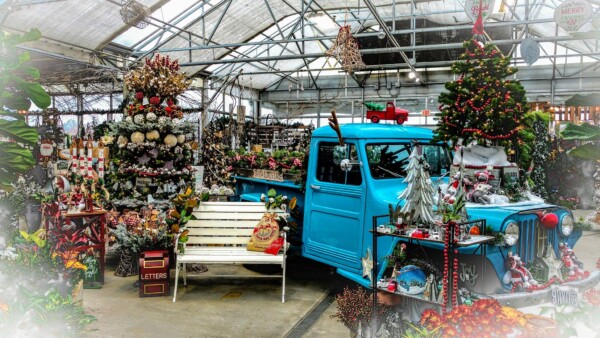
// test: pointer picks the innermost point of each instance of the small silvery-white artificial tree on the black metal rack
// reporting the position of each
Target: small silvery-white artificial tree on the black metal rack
(419, 193)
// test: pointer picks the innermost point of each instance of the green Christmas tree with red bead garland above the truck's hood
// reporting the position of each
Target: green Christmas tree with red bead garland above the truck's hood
(481, 105)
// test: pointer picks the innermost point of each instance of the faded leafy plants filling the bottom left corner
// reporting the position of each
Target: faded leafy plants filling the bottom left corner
(37, 291)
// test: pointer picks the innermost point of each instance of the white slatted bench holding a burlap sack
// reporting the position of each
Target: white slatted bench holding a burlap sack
(220, 234)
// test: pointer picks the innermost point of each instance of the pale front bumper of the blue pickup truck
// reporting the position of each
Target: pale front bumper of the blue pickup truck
(524, 299)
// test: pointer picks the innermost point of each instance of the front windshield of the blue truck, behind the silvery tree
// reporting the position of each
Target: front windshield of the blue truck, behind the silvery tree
(389, 160)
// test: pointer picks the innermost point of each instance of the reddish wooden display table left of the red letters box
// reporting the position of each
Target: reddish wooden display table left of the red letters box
(93, 227)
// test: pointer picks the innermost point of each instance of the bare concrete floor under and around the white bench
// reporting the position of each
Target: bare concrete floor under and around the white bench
(211, 307)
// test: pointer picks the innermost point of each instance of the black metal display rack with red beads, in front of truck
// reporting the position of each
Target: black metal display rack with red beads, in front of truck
(477, 242)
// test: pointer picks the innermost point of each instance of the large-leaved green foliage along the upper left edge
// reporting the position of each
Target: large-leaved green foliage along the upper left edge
(19, 88)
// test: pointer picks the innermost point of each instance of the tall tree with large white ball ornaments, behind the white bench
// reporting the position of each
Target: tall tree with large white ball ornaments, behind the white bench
(153, 152)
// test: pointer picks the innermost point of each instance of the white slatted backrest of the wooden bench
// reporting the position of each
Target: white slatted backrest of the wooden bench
(225, 223)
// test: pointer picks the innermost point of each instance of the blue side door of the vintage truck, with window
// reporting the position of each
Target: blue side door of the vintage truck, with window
(334, 208)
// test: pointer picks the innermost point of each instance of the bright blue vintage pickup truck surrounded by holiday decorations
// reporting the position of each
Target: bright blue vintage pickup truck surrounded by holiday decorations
(347, 195)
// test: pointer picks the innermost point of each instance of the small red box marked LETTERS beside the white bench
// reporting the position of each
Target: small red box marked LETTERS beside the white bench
(154, 273)
